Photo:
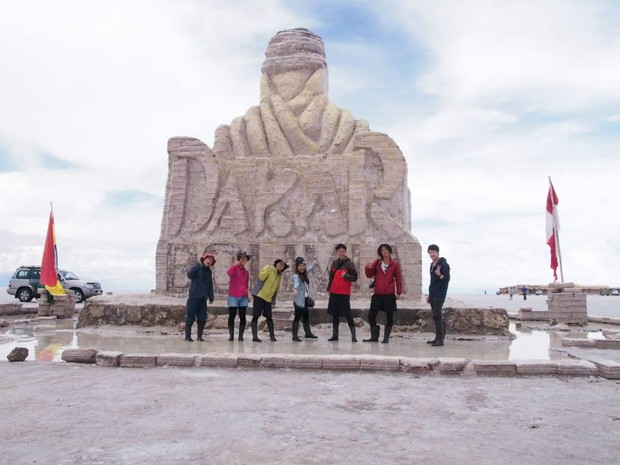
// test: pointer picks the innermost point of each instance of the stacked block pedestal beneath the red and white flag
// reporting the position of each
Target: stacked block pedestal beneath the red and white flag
(567, 304)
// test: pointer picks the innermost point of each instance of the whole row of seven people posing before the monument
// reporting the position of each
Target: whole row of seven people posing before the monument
(386, 283)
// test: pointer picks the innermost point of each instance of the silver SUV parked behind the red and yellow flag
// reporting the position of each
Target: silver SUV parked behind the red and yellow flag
(24, 284)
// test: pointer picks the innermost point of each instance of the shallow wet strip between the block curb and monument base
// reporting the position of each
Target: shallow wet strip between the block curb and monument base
(46, 338)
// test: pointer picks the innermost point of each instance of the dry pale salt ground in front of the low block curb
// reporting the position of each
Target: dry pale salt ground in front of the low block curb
(79, 414)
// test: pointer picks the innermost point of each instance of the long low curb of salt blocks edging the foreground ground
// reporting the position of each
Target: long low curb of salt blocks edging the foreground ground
(441, 365)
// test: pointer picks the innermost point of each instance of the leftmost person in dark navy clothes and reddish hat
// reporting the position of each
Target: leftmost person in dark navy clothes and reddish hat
(200, 289)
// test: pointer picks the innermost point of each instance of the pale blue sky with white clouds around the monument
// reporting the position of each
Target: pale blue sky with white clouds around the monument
(486, 100)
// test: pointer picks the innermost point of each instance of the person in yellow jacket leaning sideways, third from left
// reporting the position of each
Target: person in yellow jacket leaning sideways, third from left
(265, 292)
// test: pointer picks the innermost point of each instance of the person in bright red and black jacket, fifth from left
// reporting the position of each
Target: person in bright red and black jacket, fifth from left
(341, 275)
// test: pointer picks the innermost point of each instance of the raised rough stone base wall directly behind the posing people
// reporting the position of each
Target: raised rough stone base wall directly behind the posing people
(472, 321)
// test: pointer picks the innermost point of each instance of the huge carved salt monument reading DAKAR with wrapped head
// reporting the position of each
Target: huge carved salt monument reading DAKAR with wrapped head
(294, 176)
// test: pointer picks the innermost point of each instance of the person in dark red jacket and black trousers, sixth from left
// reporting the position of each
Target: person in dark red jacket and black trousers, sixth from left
(388, 286)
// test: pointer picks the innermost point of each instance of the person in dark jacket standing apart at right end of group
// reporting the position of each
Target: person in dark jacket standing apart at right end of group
(437, 290)
